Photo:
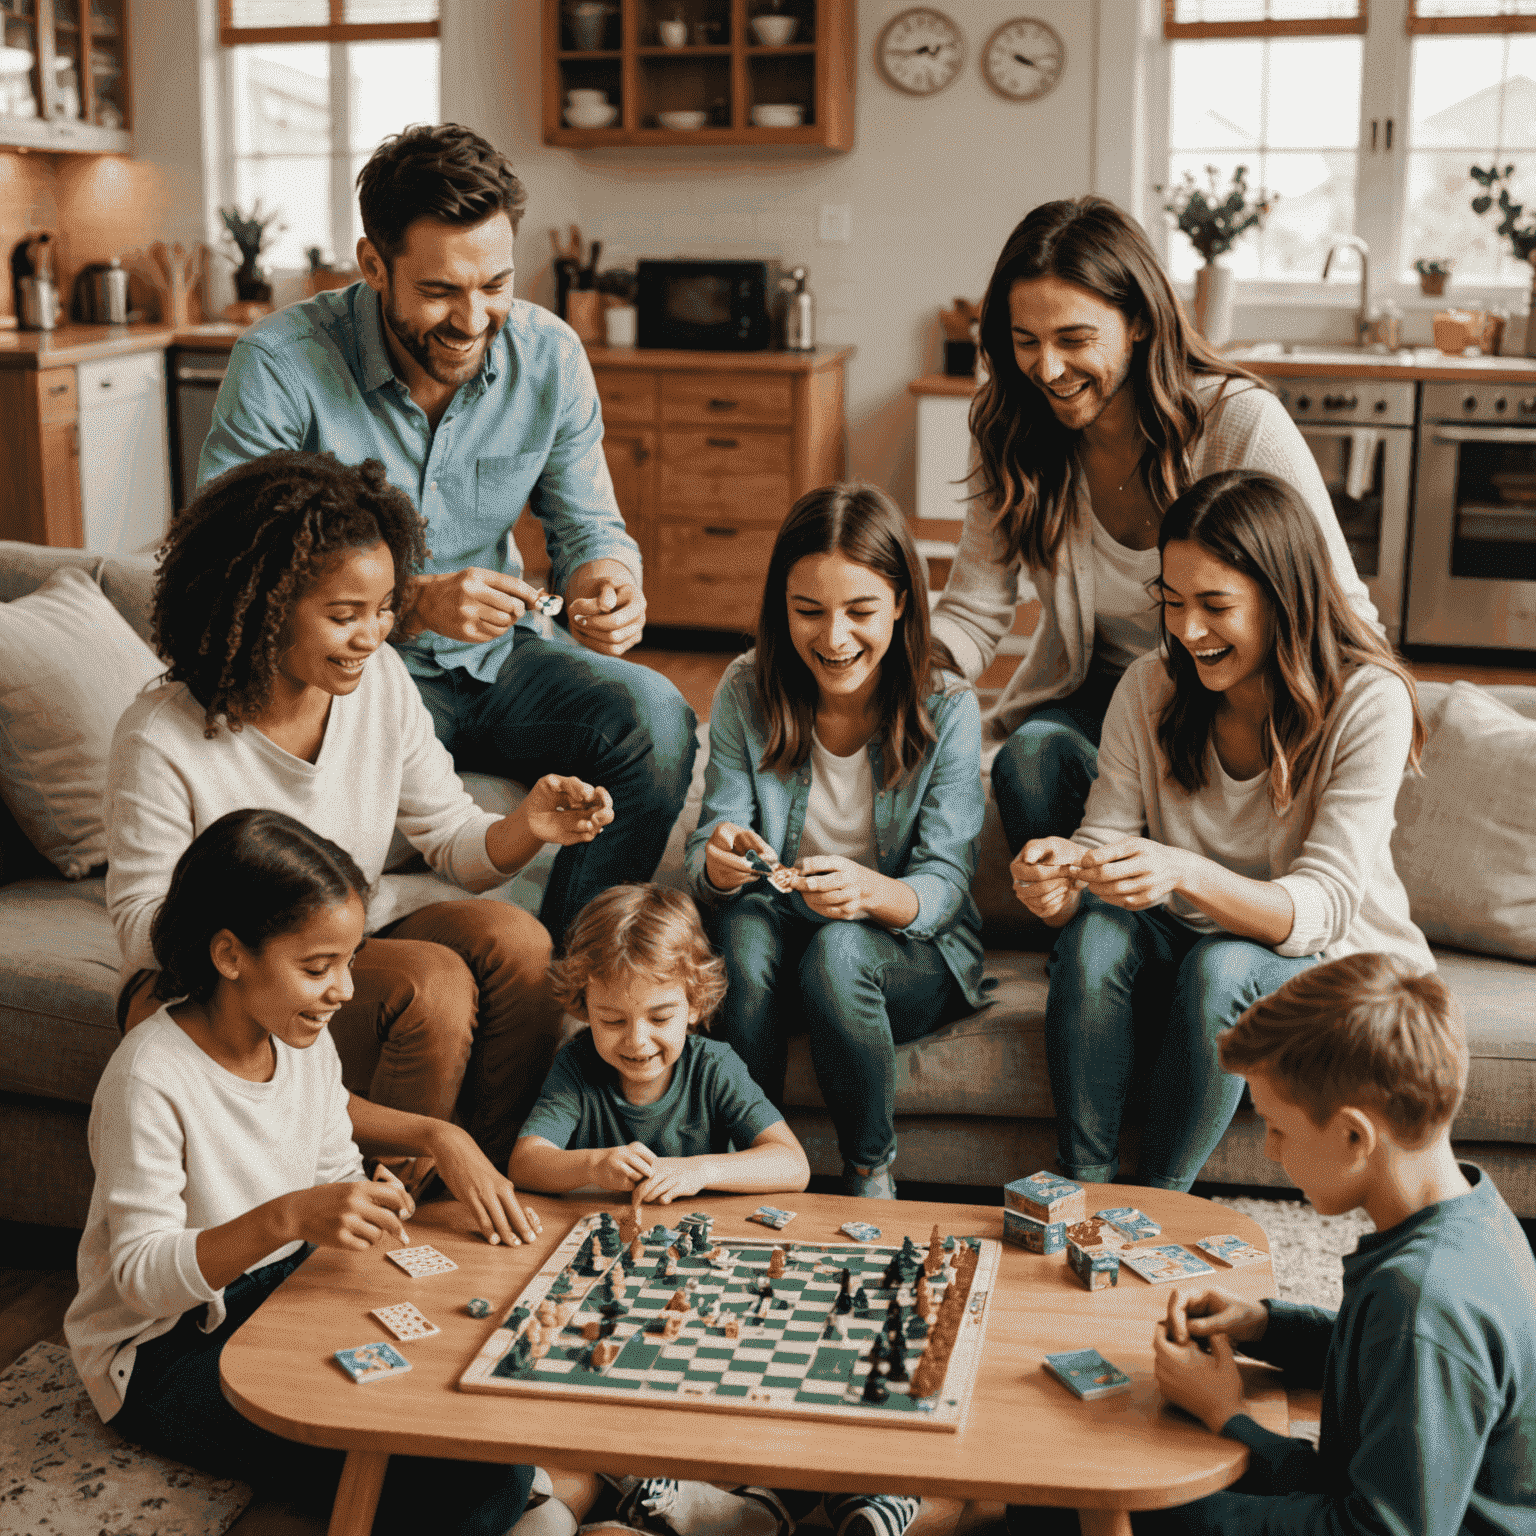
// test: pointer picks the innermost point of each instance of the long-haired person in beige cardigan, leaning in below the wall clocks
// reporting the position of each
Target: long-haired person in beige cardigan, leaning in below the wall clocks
(1101, 408)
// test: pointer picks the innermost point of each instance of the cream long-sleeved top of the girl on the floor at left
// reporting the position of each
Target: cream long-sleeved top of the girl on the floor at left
(182, 1145)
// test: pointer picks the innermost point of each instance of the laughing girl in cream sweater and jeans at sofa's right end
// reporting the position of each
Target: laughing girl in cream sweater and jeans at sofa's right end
(1237, 833)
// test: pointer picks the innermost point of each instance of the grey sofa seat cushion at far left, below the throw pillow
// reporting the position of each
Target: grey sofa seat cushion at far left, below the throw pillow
(59, 970)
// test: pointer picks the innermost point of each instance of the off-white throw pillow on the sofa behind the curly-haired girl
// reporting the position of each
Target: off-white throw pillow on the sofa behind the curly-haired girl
(70, 666)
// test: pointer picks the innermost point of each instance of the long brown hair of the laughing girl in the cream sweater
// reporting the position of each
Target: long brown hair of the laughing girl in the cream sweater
(1260, 528)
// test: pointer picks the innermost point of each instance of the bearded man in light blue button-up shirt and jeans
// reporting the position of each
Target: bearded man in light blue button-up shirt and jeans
(480, 405)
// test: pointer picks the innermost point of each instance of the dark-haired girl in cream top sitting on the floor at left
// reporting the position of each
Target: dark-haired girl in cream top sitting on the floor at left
(223, 1147)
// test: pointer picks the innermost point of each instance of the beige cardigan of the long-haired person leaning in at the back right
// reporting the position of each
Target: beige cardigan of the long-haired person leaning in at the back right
(1248, 429)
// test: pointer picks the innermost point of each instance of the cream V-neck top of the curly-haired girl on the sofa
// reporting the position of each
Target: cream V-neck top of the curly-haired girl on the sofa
(380, 767)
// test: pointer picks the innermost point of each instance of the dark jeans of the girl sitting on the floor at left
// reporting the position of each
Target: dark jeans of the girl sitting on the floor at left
(176, 1408)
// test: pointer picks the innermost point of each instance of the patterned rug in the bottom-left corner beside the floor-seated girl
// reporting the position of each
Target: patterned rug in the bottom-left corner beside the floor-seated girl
(67, 1474)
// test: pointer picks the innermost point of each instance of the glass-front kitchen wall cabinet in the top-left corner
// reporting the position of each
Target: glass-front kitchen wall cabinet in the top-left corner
(64, 74)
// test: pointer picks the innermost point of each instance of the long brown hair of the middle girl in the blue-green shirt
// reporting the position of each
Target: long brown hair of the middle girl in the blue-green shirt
(862, 525)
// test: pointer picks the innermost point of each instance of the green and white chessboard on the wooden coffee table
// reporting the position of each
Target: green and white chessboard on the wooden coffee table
(780, 1366)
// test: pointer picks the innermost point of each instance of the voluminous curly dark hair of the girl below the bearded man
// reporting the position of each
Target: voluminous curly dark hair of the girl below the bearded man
(250, 545)
